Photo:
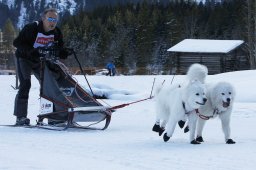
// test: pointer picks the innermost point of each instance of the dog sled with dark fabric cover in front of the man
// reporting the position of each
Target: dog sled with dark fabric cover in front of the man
(62, 99)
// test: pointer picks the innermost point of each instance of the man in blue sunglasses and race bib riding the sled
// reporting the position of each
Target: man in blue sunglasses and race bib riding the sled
(32, 36)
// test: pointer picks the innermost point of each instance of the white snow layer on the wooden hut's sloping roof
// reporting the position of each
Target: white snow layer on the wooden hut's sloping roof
(206, 46)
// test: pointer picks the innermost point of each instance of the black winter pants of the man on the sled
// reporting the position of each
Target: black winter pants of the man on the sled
(25, 68)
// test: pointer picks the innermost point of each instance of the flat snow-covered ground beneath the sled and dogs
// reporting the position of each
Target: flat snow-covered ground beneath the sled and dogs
(129, 142)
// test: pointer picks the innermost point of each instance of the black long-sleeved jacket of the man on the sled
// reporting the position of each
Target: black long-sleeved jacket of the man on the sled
(27, 37)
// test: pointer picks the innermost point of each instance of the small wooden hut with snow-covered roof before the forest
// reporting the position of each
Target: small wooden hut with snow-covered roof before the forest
(218, 55)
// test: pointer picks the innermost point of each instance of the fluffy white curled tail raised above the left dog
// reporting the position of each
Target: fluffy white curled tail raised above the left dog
(197, 72)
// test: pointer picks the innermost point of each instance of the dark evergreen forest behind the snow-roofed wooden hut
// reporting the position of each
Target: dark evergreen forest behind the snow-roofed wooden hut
(136, 36)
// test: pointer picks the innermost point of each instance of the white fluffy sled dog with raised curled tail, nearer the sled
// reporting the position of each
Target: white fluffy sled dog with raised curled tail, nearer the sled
(175, 102)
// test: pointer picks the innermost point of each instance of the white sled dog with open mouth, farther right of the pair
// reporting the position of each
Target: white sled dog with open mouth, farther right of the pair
(220, 103)
